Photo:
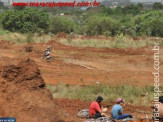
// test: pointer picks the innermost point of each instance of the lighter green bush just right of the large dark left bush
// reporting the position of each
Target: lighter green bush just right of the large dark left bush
(59, 24)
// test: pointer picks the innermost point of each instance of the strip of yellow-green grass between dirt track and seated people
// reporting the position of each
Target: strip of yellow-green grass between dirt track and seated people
(131, 94)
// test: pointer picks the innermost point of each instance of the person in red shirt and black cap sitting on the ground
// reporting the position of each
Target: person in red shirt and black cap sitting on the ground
(95, 109)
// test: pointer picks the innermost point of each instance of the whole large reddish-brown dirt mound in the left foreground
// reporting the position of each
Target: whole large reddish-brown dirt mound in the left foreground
(23, 94)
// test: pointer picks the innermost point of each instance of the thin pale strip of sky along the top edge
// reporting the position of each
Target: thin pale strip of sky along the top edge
(76, 0)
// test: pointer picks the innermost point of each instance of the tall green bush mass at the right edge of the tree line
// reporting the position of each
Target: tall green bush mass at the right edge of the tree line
(147, 24)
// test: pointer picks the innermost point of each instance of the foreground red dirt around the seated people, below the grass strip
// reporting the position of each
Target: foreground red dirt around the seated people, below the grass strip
(73, 106)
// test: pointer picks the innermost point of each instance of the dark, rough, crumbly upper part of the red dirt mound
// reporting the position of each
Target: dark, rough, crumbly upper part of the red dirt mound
(26, 74)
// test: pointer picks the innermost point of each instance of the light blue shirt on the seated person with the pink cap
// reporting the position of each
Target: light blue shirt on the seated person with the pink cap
(116, 110)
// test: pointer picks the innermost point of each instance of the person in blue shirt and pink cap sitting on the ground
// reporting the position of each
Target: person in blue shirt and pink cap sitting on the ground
(116, 111)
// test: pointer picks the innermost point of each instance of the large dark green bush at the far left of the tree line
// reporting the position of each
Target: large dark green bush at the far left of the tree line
(27, 20)
